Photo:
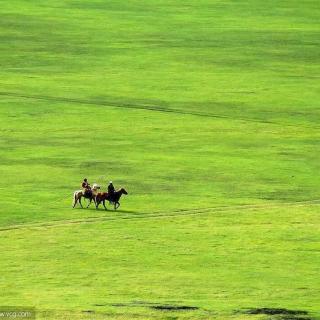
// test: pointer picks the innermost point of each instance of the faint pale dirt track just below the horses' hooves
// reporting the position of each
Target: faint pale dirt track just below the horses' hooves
(157, 215)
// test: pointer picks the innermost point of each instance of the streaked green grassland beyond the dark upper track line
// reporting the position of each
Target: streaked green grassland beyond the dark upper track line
(245, 59)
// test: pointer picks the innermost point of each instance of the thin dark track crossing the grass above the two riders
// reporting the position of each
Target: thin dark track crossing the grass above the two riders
(162, 109)
